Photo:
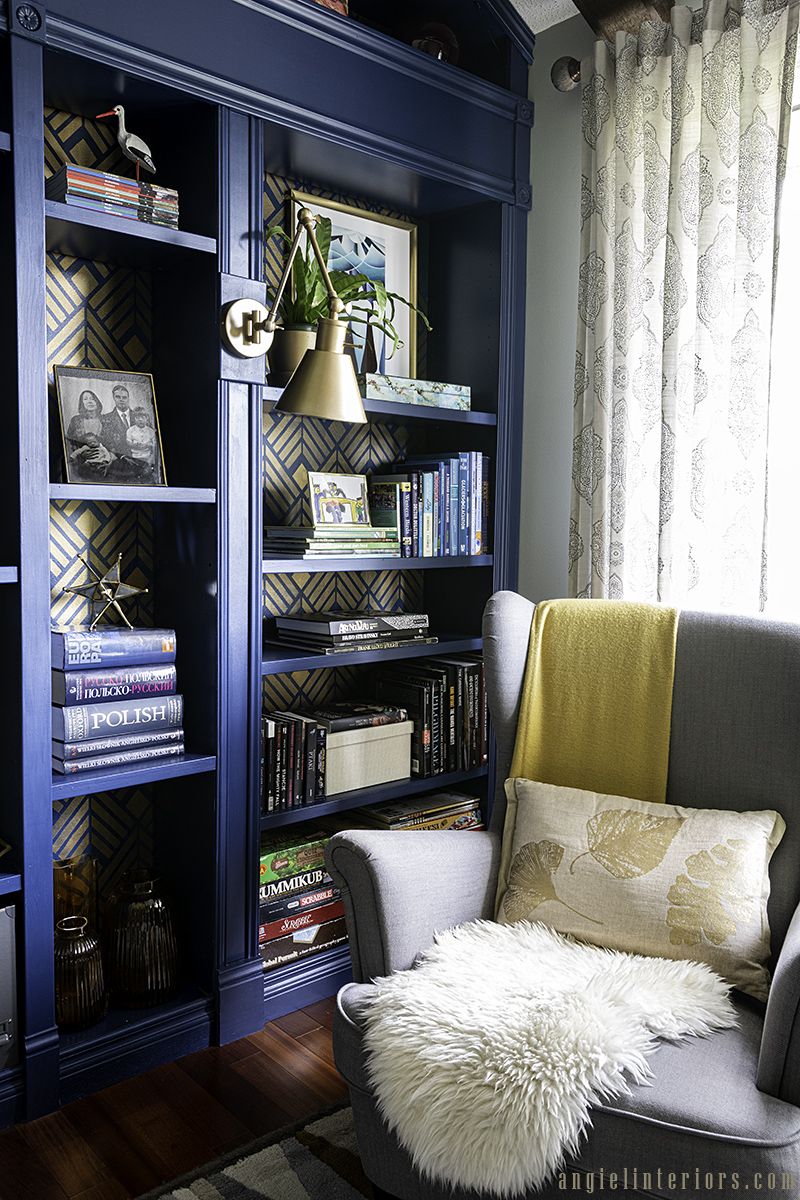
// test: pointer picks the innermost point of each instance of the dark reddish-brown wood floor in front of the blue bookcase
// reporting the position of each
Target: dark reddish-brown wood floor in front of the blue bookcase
(141, 1133)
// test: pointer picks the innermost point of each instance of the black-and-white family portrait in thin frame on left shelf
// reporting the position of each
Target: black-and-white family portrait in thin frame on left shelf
(110, 428)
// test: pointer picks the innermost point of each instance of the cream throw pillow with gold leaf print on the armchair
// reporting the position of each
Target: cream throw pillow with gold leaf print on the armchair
(649, 879)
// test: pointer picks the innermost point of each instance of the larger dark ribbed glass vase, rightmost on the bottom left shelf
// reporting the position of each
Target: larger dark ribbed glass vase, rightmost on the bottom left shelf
(142, 959)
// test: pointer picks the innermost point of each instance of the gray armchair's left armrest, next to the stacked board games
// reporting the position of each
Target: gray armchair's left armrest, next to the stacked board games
(401, 886)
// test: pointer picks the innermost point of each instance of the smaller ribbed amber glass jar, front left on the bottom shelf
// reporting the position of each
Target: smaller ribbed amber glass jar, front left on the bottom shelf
(81, 998)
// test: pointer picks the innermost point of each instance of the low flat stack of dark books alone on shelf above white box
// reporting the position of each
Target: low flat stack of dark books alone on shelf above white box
(366, 629)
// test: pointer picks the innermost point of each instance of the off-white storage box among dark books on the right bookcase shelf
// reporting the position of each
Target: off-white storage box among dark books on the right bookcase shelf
(366, 758)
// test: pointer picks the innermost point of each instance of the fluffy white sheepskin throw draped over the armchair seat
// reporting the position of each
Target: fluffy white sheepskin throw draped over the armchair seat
(486, 1057)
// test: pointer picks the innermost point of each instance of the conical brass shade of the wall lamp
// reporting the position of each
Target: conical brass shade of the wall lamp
(324, 386)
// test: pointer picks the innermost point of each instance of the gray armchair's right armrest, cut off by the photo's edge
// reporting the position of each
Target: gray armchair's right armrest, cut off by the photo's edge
(779, 1063)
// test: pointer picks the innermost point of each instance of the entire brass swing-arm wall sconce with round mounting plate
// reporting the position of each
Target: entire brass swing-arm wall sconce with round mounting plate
(324, 386)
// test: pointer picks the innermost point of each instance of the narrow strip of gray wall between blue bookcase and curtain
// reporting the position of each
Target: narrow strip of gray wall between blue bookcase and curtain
(554, 244)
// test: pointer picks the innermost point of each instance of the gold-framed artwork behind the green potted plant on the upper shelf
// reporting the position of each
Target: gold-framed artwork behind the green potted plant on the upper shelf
(382, 249)
